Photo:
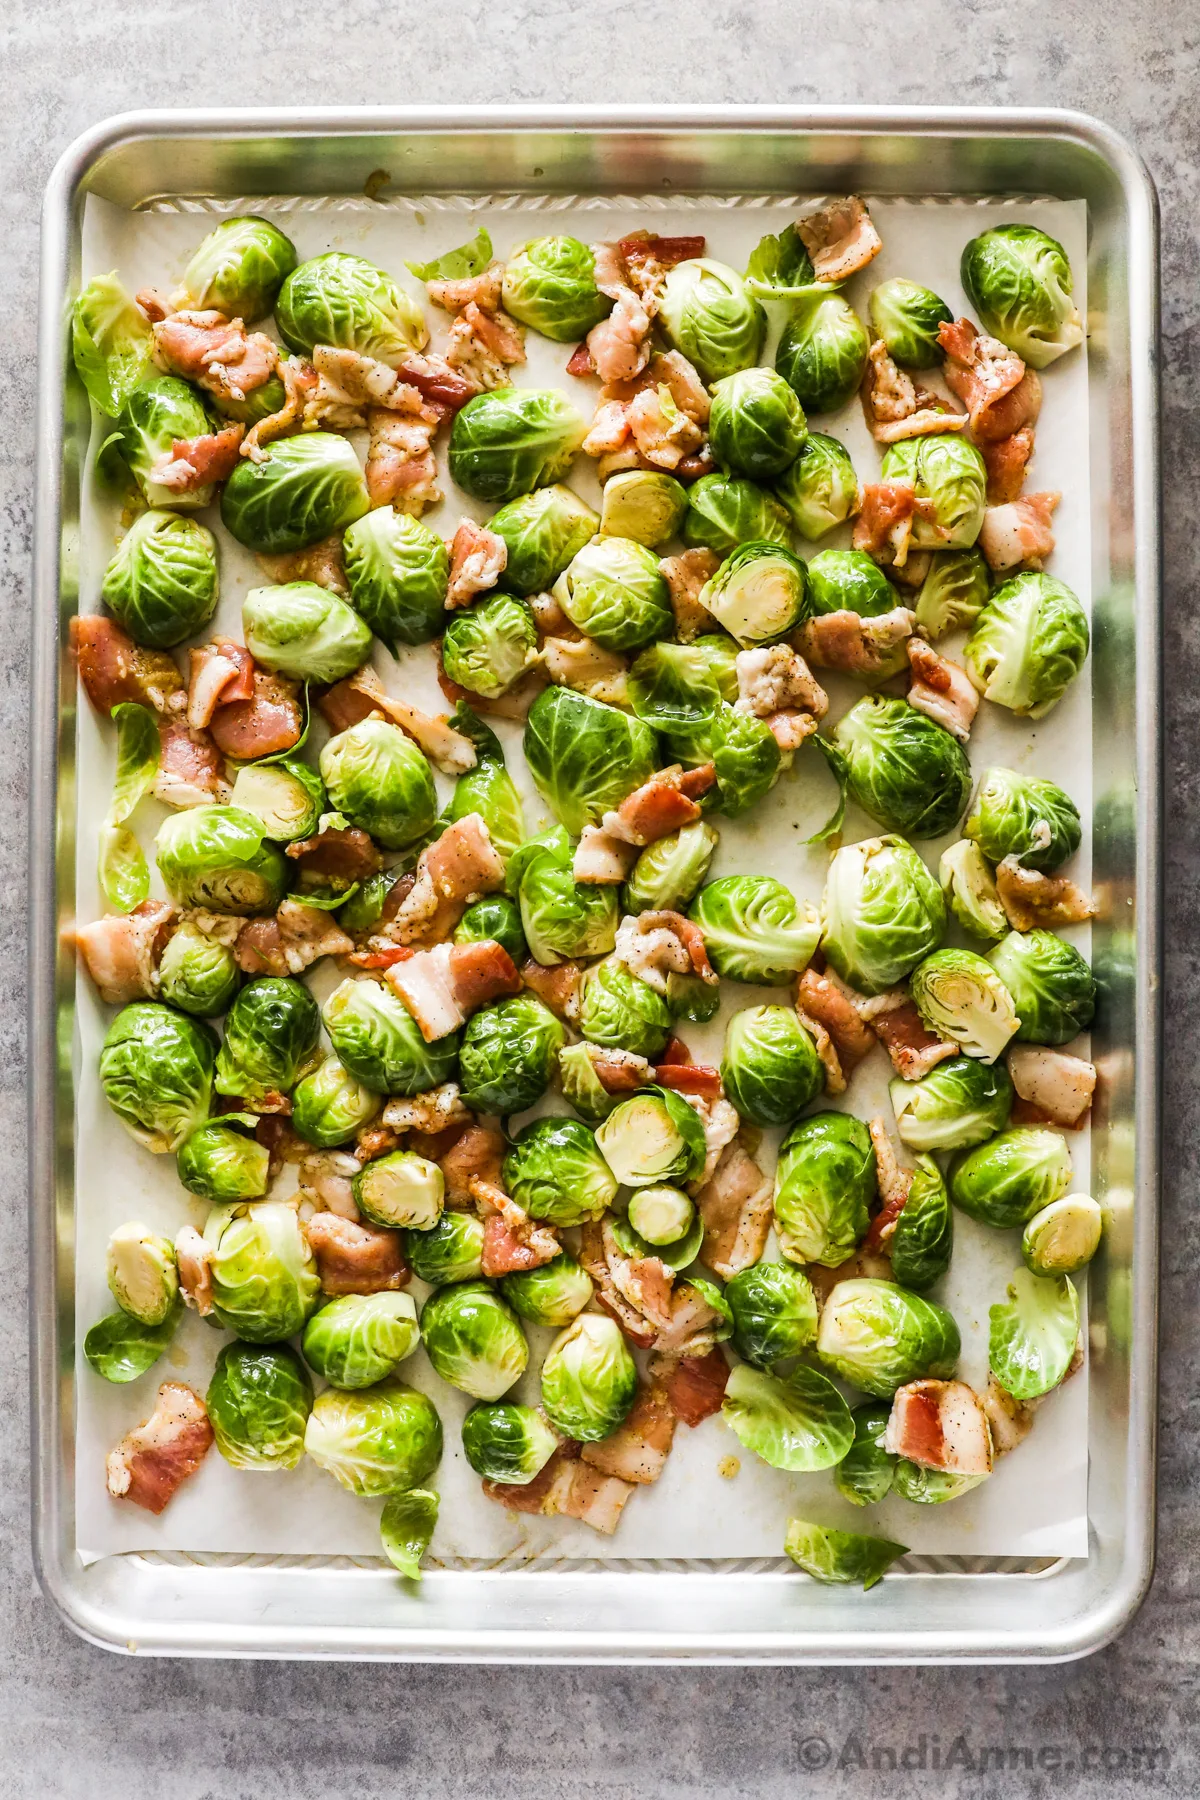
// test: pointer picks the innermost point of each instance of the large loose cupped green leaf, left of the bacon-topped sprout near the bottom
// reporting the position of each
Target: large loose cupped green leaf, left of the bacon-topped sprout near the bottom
(796, 1423)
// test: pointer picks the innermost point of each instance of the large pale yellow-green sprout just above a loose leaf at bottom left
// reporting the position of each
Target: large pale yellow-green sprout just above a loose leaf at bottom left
(381, 1441)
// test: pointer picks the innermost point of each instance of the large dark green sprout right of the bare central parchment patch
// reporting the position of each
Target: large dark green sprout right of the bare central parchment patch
(904, 769)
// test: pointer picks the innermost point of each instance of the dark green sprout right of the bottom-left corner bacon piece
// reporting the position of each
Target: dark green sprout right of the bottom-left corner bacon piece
(258, 1401)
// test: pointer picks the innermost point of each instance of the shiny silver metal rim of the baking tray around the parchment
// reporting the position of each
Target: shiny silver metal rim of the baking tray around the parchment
(152, 1606)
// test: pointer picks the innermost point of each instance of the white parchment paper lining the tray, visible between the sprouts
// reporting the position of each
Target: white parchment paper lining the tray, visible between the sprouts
(1035, 1504)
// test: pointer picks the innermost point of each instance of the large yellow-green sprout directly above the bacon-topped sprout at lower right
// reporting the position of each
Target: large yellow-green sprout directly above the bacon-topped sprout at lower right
(879, 1336)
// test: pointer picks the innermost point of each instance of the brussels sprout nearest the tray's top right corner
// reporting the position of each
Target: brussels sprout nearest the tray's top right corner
(1019, 282)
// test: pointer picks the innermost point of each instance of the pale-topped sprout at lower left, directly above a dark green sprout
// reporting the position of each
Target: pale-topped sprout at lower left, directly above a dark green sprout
(265, 1279)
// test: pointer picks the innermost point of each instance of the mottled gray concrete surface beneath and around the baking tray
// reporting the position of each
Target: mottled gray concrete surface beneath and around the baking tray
(76, 1722)
